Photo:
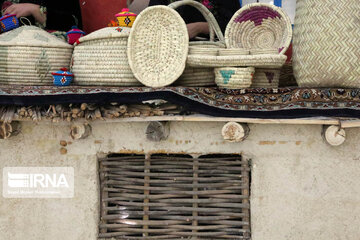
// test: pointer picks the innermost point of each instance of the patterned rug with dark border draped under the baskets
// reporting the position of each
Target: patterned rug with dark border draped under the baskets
(262, 103)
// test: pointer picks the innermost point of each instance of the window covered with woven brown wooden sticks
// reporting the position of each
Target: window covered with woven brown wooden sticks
(174, 197)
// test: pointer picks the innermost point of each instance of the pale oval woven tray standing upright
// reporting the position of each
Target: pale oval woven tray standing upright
(158, 46)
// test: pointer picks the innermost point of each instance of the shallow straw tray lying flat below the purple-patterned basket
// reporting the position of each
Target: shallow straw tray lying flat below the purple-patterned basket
(263, 61)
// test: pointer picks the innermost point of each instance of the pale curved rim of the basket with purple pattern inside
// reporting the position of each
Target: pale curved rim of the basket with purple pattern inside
(273, 7)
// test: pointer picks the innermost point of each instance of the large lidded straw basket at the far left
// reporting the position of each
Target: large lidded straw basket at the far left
(29, 54)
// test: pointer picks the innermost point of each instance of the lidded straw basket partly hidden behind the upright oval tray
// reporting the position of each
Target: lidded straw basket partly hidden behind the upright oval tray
(100, 59)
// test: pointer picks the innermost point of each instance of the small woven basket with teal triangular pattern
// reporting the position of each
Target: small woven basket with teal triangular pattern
(234, 78)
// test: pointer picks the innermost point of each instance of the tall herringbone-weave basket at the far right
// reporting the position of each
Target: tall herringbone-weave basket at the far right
(327, 43)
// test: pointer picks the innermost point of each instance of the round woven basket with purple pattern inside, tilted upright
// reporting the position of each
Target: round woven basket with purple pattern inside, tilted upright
(257, 26)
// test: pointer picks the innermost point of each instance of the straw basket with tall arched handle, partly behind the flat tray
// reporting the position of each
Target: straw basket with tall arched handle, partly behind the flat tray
(201, 76)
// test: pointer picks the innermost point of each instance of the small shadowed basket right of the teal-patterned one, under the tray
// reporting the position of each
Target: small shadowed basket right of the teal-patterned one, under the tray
(266, 78)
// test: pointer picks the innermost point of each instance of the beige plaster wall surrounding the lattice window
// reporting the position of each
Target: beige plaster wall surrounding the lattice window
(301, 187)
